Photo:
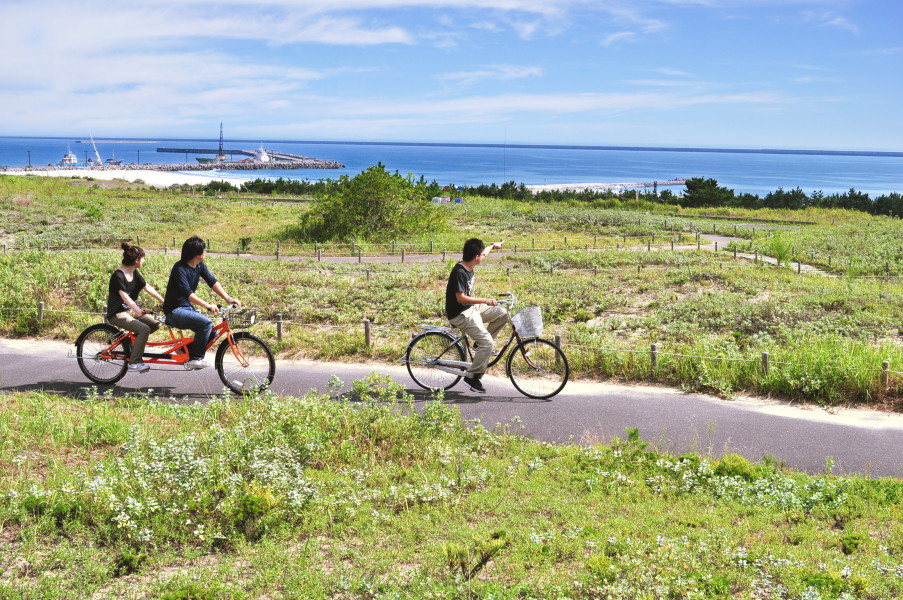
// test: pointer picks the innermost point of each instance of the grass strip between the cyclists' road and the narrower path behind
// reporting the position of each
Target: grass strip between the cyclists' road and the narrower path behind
(609, 307)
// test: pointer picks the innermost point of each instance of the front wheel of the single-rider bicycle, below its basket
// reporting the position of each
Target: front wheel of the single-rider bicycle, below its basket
(538, 368)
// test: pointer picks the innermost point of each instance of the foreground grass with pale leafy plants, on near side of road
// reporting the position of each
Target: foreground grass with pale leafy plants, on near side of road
(318, 497)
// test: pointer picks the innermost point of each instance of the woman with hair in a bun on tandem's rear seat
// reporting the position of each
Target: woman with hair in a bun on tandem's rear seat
(123, 311)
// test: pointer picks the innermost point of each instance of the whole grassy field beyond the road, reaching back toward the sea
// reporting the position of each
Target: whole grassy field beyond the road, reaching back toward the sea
(607, 280)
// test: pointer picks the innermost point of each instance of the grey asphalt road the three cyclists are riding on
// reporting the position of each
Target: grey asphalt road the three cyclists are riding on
(858, 441)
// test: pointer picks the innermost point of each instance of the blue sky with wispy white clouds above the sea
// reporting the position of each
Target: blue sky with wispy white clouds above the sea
(814, 74)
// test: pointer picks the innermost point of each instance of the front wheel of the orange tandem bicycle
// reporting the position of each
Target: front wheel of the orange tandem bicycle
(245, 365)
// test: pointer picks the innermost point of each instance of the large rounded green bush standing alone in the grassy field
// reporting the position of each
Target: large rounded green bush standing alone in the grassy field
(373, 206)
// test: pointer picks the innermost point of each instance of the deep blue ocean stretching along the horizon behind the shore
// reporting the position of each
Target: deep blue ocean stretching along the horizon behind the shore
(744, 171)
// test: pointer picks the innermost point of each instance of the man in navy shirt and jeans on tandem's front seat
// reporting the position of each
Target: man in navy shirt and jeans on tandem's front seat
(180, 298)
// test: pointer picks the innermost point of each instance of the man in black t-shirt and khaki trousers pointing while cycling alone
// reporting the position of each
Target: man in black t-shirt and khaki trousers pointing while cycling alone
(479, 318)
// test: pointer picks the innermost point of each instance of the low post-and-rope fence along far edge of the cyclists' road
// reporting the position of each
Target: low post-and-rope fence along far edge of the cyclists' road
(367, 329)
